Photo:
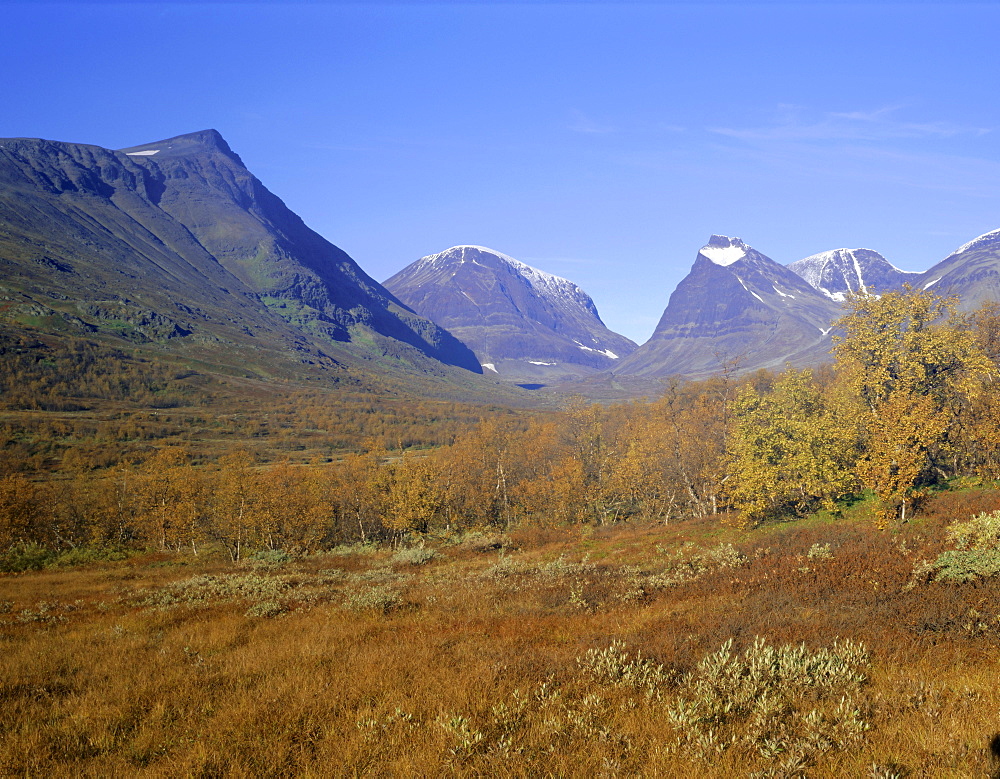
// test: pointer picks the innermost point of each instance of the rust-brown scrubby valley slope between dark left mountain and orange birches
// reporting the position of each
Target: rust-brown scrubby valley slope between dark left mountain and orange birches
(70, 404)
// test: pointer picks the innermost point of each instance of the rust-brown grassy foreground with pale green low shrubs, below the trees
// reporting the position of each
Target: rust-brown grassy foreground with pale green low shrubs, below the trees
(692, 649)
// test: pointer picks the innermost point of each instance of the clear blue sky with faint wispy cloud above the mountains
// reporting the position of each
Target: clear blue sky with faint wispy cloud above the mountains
(600, 142)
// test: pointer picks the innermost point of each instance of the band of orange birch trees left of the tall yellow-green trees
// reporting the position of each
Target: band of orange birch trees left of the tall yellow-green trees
(585, 464)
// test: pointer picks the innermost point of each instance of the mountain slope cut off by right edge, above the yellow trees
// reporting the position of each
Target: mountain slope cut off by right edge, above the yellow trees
(972, 272)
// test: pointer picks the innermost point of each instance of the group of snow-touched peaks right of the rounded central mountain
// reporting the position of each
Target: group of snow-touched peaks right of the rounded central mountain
(739, 309)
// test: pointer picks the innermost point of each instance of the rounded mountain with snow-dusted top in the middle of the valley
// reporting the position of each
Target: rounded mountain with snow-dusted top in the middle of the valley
(522, 323)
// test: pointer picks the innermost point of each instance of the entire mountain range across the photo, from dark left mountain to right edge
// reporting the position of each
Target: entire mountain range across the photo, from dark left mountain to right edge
(175, 246)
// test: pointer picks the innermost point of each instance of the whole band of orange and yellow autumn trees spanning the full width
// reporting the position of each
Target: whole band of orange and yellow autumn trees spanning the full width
(911, 402)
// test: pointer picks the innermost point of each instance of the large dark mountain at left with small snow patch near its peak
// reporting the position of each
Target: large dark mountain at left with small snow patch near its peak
(176, 243)
